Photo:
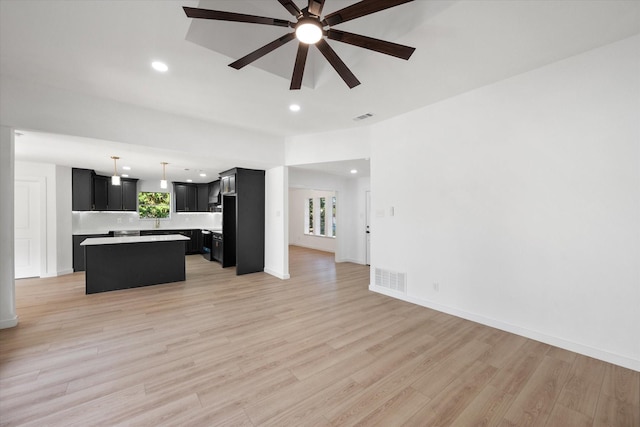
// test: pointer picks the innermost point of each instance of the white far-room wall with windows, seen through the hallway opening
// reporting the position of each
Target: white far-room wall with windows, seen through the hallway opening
(298, 200)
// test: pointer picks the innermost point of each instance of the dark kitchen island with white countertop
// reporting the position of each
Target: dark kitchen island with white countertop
(114, 263)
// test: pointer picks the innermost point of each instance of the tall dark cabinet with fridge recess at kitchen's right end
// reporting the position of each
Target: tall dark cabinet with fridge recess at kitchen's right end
(243, 220)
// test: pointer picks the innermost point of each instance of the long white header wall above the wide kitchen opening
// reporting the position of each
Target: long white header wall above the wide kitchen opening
(49, 109)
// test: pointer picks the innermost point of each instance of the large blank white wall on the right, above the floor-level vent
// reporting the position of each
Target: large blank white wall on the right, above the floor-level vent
(522, 201)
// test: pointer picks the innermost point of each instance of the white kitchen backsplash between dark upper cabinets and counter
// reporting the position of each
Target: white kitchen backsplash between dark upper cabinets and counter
(99, 222)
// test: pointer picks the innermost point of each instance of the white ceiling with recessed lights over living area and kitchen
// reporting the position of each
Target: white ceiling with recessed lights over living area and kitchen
(104, 49)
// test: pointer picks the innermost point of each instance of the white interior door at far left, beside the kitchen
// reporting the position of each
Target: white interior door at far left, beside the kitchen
(27, 228)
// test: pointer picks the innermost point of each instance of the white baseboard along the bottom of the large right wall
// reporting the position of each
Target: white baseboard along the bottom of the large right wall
(596, 353)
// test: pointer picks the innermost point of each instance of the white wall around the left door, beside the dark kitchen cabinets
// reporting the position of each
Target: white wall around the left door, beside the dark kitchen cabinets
(56, 242)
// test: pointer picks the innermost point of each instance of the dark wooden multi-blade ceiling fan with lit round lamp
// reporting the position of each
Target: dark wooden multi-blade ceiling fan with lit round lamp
(310, 29)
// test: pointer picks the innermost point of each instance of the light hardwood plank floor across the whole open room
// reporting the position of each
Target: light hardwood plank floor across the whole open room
(318, 349)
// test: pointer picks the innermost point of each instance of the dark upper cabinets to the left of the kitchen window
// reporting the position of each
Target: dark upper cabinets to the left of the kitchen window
(91, 192)
